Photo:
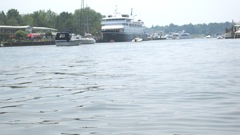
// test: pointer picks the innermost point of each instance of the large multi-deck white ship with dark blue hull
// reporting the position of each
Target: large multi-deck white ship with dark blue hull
(122, 27)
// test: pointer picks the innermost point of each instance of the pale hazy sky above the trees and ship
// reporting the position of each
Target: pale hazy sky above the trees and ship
(152, 12)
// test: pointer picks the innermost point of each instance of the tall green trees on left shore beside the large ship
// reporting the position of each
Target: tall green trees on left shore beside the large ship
(76, 22)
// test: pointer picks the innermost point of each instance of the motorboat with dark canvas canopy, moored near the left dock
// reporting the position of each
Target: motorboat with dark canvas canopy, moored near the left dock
(65, 39)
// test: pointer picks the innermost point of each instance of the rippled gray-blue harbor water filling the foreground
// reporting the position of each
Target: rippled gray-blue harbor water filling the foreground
(172, 87)
